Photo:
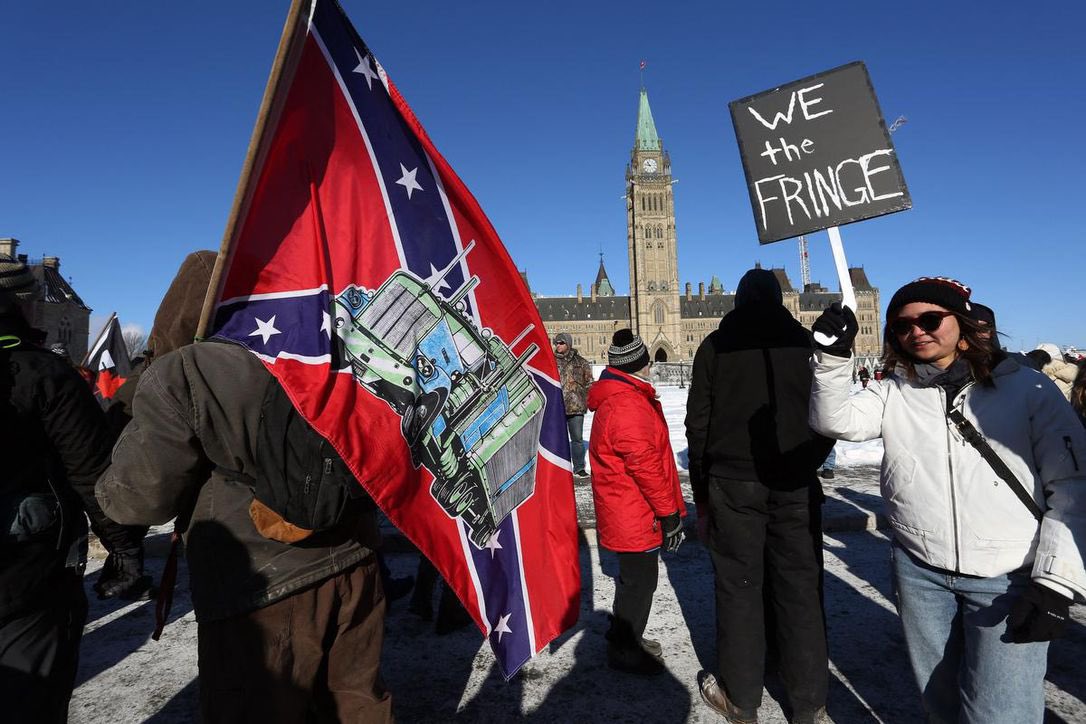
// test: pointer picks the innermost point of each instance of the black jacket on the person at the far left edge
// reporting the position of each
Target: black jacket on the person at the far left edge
(55, 446)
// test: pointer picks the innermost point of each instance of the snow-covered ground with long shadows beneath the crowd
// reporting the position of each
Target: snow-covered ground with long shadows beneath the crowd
(125, 677)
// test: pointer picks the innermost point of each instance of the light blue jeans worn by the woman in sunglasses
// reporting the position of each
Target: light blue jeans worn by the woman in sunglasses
(956, 632)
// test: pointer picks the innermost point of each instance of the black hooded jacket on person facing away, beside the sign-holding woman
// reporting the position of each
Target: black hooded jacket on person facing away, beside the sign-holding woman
(747, 415)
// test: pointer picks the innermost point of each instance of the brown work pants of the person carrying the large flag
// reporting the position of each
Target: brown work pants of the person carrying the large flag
(311, 657)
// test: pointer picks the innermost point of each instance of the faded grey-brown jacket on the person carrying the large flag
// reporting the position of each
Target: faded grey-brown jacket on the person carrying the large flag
(196, 415)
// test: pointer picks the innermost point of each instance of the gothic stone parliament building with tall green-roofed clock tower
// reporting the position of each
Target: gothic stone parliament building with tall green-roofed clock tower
(674, 322)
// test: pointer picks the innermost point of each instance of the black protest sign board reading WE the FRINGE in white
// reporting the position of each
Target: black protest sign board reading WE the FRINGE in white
(817, 155)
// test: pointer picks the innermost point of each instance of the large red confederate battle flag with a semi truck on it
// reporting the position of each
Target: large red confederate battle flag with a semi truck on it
(364, 274)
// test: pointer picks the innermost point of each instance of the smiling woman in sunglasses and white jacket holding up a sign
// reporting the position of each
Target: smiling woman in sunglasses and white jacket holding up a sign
(984, 479)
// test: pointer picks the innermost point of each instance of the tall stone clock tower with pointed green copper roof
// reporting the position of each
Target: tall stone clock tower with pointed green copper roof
(651, 243)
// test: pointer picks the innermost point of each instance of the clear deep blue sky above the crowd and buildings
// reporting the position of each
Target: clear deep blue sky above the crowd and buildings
(124, 125)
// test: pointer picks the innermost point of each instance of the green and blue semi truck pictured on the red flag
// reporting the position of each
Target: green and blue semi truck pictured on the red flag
(471, 412)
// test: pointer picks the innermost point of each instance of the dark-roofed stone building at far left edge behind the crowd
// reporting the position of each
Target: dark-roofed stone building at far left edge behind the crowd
(58, 310)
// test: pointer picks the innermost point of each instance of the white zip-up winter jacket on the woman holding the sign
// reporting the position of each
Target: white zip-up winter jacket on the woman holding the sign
(946, 505)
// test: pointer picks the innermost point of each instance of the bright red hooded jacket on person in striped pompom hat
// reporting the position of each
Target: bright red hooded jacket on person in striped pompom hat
(635, 480)
